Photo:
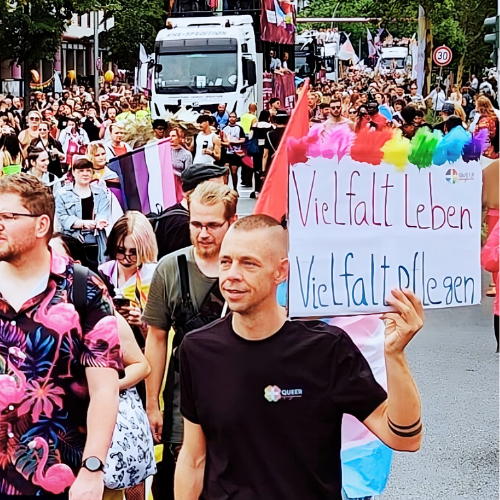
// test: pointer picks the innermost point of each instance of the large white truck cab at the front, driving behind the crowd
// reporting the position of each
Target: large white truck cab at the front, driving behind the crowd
(201, 62)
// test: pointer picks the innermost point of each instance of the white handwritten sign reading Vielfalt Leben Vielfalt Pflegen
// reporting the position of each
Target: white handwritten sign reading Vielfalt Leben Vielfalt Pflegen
(358, 231)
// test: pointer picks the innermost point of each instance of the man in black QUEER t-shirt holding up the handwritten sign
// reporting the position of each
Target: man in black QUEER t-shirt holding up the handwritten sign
(263, 397)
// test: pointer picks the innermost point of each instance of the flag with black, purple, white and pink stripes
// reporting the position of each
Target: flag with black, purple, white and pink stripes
(146, 178)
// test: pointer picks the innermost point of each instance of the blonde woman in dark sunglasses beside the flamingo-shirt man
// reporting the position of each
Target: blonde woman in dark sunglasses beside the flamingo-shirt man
(133, 252)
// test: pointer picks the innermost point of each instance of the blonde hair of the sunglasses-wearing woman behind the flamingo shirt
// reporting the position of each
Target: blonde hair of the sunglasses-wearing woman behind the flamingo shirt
(136, 225)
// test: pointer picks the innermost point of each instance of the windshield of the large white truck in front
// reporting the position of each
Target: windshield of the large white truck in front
(201, 72)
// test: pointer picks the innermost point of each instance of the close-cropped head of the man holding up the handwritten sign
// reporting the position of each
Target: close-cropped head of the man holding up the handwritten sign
(253, 262)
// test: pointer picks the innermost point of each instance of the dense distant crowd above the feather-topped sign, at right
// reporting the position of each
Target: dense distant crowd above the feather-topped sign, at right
(393, 101)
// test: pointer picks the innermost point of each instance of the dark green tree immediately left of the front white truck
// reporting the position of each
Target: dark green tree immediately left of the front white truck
(136, 21)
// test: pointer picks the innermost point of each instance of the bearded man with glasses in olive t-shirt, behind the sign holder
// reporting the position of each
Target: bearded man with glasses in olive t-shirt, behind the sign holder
(184, 295)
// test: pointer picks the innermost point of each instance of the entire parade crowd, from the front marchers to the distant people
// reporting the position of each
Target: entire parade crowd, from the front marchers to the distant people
(96, 366)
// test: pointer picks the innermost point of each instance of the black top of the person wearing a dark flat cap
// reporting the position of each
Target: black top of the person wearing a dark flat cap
(172, 232)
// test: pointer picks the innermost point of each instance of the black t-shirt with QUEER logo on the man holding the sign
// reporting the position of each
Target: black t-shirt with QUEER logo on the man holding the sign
(271, 410)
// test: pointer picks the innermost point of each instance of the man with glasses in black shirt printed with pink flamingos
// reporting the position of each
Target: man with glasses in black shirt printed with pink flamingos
(58, 372)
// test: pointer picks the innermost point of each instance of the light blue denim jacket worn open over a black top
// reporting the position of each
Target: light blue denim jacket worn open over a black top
(69, 210)
